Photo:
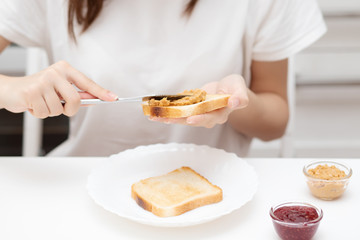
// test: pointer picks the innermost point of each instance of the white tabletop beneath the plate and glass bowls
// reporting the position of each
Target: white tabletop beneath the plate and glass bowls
(46, 198)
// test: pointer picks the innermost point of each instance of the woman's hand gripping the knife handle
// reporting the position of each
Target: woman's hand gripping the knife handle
(41, 93)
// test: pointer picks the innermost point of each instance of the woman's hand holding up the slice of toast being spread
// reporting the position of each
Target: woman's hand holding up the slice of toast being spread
(234, 85)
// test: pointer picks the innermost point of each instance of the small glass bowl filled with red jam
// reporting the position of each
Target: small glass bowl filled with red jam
(296, 220)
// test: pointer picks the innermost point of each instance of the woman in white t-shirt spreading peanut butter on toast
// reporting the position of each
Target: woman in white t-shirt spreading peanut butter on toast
(139, 47)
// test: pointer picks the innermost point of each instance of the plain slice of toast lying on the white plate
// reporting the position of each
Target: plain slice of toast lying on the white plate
(175, 193)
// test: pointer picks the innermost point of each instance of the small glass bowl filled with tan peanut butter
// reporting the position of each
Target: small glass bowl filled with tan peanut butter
(327, 187)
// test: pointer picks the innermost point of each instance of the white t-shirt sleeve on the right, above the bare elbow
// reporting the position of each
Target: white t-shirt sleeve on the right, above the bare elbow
(287, 27)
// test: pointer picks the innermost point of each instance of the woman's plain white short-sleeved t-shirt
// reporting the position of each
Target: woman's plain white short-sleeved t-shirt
(139, 47)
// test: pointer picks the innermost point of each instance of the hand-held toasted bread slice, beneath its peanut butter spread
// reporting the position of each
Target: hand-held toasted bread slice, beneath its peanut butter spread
(212, 102)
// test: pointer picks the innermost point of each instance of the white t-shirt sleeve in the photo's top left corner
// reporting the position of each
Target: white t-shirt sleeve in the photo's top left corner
(23, 22)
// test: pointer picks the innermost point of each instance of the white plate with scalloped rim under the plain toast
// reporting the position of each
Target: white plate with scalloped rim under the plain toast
(110, 183)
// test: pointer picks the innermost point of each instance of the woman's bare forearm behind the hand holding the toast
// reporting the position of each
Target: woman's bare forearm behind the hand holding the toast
(265, 117)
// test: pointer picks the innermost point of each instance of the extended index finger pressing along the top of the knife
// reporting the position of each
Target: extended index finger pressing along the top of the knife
(86, 84)
